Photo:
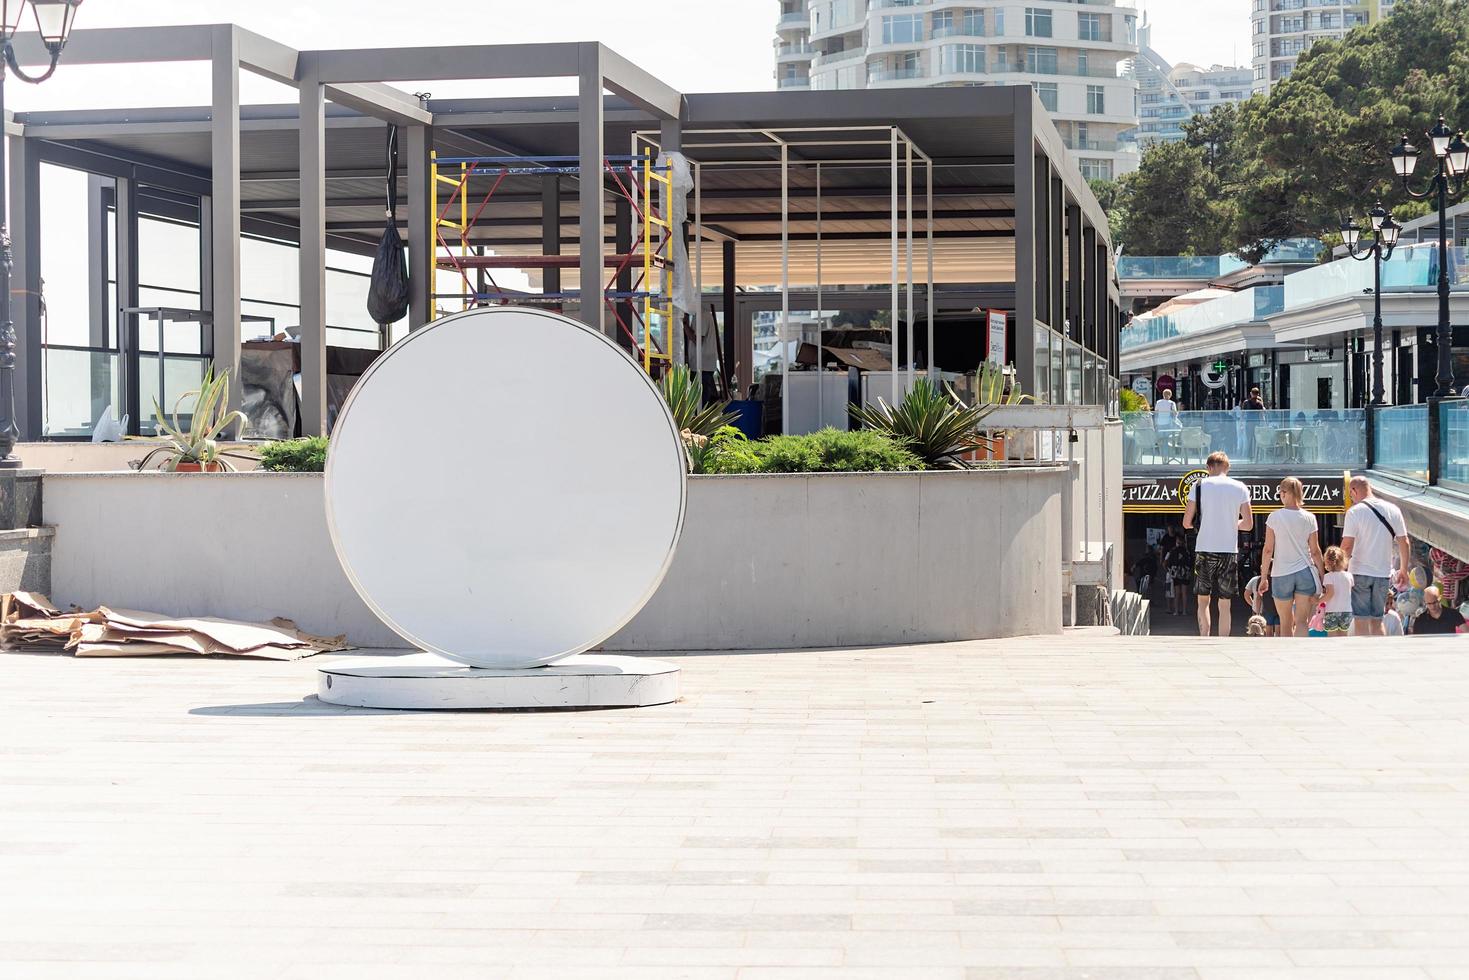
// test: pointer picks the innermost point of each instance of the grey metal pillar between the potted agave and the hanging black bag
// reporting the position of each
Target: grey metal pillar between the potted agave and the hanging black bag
(312, 258)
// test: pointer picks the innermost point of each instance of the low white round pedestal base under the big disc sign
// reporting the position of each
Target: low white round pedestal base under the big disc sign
(433, 682)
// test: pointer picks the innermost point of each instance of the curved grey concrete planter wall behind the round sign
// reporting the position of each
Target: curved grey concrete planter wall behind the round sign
(766, 562)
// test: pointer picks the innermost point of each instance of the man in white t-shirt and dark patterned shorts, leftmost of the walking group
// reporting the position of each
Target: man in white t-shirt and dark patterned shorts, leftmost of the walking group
(1220, 508)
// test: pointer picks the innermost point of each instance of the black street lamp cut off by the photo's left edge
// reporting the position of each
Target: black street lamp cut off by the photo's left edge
(54, 21)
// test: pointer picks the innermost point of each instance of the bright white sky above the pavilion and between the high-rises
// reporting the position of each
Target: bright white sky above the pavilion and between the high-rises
(710, 46)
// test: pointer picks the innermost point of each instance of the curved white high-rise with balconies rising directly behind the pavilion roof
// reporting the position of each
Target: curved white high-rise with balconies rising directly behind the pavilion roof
(1070, 51)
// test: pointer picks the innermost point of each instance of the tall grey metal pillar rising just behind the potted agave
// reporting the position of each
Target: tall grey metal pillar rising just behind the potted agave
(225, 165)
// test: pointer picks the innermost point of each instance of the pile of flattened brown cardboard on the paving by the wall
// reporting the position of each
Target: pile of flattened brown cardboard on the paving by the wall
(30, 622)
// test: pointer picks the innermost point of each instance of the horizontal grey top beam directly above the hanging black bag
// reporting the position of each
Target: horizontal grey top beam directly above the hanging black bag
(452, 62)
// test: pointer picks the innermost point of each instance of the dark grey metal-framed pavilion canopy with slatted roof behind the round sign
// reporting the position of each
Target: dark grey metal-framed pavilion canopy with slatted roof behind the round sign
(1011, 223)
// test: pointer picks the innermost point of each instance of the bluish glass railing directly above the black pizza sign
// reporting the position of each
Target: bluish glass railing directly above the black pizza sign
(1335, 439)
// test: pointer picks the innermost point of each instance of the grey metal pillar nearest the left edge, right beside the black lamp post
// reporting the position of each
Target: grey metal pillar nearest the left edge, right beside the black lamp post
(26, 228)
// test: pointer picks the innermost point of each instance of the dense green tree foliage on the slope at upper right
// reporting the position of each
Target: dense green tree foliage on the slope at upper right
(1293, 164)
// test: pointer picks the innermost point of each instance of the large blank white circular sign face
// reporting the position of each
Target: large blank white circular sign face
(506, 489)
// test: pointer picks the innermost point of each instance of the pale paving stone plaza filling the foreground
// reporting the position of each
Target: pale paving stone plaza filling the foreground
(1113, 809)
